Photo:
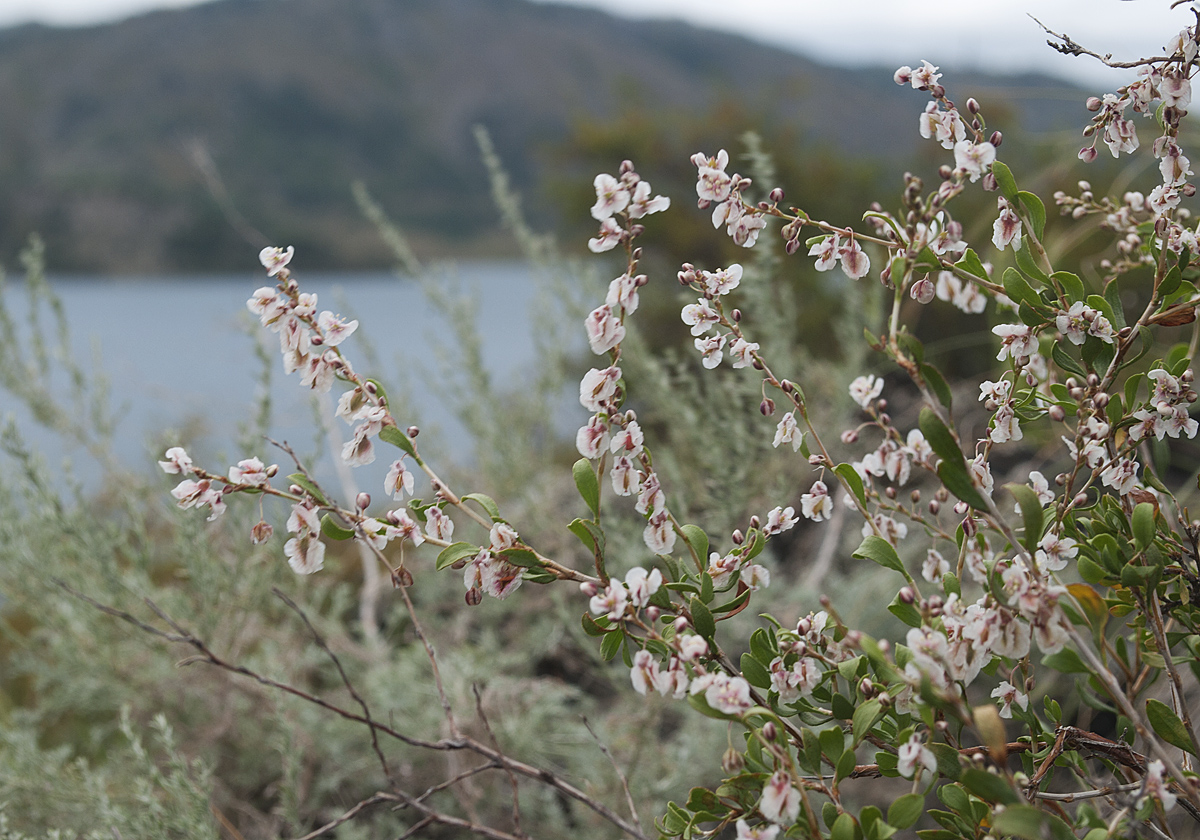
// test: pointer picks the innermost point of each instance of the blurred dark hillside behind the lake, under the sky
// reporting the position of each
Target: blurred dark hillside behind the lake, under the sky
(292, 100)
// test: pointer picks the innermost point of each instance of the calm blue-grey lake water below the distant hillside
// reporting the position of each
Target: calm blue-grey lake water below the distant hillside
(179, 353)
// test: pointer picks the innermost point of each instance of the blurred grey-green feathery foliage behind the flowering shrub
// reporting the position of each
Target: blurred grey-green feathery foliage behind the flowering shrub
(274, 765)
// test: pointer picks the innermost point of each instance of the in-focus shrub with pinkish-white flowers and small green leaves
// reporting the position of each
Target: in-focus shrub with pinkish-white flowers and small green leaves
(1089, 567)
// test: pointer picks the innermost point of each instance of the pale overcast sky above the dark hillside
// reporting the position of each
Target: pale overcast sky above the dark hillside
(994, 35)
